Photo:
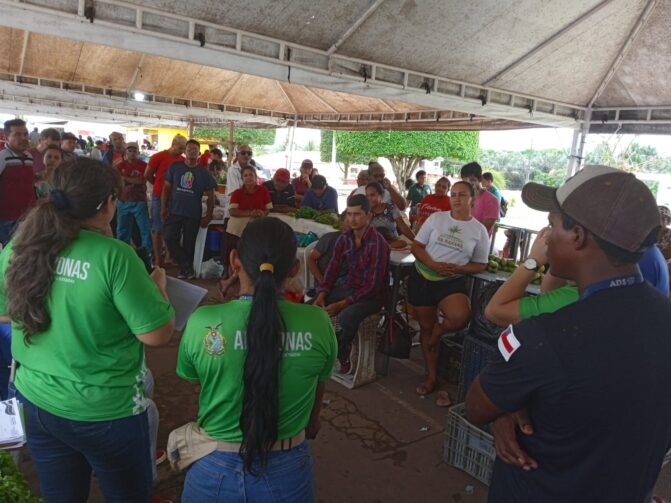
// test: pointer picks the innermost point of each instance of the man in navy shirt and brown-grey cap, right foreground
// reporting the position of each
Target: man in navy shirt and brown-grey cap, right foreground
(588, 385)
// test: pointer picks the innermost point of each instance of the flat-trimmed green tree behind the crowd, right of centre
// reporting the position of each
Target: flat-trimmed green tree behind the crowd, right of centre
(403, 149)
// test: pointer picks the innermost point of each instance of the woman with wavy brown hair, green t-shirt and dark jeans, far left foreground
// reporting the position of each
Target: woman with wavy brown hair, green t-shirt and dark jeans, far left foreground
(82, 308)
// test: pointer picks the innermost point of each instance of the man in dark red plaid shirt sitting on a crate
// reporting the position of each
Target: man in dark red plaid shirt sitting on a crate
(361, 292)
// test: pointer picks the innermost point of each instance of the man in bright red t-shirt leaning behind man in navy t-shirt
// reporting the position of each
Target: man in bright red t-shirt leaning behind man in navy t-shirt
(155, 173)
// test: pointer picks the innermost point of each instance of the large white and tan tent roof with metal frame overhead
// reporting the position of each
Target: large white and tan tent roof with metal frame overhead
(315, 61)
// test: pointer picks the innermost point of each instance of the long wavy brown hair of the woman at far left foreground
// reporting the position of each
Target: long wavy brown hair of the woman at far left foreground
(80, 188)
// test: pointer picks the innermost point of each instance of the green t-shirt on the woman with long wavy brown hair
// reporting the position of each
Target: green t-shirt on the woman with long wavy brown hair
(89, 366)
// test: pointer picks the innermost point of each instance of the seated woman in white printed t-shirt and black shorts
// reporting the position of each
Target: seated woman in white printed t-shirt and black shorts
(450, 245)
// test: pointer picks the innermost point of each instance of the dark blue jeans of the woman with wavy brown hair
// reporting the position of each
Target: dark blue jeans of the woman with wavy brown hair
(65, 451)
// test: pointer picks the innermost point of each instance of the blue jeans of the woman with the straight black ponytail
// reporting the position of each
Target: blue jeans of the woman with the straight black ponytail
(220, 477)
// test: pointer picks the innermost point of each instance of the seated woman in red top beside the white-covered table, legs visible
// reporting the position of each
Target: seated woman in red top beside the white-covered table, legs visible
(247, 203)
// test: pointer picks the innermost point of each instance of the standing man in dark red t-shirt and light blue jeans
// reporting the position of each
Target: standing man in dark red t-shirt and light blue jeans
(132, 202)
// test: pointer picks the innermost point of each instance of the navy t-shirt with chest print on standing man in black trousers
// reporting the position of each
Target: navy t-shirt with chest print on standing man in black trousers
(187, 188)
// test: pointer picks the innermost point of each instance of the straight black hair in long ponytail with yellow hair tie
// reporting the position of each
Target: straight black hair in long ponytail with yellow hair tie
(264, 241)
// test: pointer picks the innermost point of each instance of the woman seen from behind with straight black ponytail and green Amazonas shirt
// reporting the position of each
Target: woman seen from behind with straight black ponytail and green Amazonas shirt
(262, 363)
